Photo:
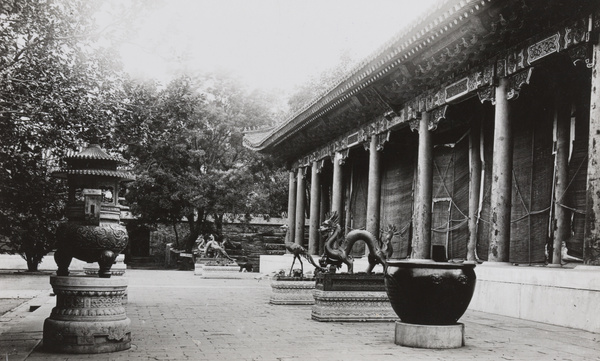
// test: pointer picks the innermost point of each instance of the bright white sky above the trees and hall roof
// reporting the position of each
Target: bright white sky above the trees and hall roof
(270, 44)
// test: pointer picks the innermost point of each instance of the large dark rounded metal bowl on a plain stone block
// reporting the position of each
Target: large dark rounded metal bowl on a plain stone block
(425, 292)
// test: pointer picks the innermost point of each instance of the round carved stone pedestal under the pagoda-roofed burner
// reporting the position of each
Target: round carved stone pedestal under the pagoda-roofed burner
(89, 316)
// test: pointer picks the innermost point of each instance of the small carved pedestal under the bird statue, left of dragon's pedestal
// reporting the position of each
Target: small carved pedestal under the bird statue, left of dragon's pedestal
(291, 291)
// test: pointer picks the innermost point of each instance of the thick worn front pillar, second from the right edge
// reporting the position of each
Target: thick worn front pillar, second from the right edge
(501, 177)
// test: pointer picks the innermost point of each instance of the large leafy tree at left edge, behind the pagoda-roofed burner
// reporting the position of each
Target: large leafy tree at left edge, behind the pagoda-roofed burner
(58, 89)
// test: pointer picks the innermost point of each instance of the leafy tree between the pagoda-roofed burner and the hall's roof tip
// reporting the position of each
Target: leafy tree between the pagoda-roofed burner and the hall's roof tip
(190, 156)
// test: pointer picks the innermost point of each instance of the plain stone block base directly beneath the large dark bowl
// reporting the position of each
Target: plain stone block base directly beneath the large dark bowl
(430, 336)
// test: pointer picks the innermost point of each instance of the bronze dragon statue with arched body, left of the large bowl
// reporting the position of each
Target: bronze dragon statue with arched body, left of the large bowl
(336, 255)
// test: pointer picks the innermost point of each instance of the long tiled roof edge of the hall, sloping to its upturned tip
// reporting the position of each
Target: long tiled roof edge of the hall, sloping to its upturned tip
(407, 44)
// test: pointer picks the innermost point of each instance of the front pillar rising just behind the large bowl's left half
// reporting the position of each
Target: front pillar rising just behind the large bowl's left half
(423, 195)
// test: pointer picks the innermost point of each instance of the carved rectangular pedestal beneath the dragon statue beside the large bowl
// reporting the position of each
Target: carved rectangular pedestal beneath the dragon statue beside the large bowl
(351, 297)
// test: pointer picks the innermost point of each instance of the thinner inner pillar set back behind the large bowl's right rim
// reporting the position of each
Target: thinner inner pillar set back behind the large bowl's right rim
(474, 187)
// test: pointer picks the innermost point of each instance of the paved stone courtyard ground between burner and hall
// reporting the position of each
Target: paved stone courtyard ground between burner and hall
(178, 316)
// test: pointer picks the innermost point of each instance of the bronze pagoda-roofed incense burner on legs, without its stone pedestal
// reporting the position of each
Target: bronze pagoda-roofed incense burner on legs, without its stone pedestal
(93, 232)
